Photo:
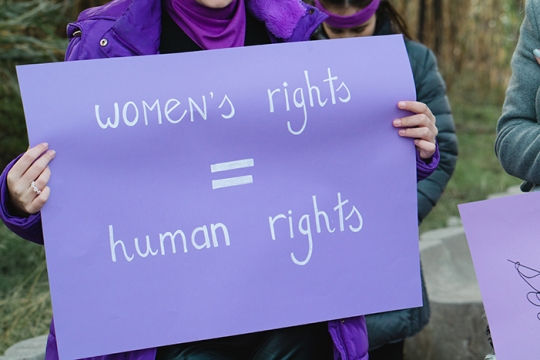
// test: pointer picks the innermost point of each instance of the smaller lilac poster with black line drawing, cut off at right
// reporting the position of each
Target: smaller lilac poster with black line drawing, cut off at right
(503, 238)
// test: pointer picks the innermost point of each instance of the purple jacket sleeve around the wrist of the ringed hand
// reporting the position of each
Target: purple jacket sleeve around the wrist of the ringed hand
(28, 228)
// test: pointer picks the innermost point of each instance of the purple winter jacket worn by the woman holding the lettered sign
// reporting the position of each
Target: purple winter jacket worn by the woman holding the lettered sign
(132, 27)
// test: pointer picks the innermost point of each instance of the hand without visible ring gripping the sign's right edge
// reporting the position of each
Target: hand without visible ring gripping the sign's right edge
(420, 126)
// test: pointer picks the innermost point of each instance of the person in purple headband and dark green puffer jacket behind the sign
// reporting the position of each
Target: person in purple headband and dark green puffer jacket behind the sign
(353, 18)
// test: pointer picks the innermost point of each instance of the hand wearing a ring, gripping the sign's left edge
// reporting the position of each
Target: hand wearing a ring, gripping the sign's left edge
(27, 180)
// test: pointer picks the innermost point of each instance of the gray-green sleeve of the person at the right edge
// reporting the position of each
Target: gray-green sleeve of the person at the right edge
(517, 144)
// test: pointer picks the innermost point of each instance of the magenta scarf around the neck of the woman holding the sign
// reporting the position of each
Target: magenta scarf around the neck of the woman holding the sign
(207, 27)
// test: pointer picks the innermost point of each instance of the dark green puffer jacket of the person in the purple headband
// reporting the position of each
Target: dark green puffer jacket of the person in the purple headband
(395, 326)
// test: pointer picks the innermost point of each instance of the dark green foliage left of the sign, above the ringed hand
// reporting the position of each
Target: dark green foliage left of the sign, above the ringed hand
(29, 34)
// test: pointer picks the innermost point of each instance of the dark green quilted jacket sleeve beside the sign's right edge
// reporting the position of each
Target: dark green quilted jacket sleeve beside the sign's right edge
(431, 90)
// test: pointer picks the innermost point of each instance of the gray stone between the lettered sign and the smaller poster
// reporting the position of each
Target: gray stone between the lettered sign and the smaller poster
(456, 330)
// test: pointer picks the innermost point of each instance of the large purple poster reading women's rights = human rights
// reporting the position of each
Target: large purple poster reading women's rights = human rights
(213, 193)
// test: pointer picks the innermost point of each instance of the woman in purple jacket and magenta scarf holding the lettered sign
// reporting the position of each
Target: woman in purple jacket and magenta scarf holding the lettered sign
(129, 28)
